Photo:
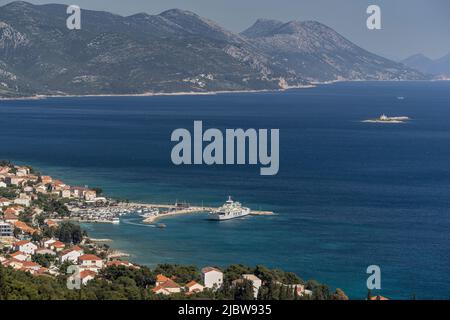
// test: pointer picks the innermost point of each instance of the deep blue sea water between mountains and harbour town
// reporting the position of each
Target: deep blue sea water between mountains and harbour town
(348, 194)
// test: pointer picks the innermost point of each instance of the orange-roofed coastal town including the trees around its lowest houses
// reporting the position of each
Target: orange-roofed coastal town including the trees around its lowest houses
(38, 237)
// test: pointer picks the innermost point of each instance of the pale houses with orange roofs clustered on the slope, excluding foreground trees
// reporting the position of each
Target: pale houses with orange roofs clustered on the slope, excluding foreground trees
(37, 237)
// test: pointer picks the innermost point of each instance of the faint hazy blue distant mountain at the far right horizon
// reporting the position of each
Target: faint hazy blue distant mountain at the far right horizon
(438, 68)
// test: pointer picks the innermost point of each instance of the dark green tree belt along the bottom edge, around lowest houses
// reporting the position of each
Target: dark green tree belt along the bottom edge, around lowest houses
(121, 283)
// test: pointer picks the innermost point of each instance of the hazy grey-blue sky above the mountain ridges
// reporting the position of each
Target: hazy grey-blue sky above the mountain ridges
(409, 26)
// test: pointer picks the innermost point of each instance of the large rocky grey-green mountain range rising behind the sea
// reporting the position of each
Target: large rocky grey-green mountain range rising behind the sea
(175, 51)
